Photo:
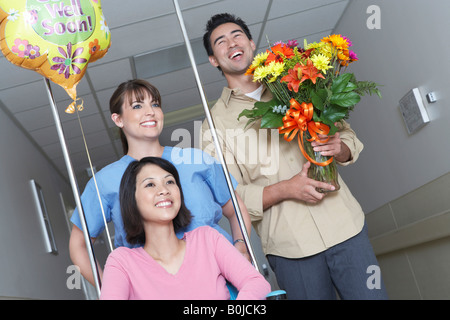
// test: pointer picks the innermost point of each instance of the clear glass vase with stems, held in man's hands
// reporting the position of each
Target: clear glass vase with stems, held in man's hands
(327, 174)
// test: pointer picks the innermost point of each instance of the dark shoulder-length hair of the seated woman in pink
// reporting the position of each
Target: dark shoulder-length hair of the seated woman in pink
(132, 220)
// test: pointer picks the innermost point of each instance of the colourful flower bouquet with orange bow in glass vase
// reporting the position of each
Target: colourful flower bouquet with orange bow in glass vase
(311, 94)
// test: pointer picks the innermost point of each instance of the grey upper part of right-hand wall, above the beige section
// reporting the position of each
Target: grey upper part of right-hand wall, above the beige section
(410, 50)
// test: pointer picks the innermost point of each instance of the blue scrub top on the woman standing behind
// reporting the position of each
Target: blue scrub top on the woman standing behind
(202, 179)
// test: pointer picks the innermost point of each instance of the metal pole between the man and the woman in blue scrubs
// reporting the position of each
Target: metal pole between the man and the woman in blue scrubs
(214, 136)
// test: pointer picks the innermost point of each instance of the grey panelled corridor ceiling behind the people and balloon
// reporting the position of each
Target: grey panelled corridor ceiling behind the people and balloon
(142, 31)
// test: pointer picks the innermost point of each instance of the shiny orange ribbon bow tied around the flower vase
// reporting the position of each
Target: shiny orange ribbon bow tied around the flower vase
(299, 118)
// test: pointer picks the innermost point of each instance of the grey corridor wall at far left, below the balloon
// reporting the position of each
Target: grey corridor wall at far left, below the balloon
(26, 270)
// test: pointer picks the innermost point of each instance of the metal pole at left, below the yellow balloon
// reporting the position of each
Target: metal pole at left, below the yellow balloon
(74, 185)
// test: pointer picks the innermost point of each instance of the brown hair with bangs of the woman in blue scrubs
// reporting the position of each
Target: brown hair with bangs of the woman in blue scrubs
(138, 88)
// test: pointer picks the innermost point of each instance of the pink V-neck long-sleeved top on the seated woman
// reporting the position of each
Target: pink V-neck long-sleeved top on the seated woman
(209, 259)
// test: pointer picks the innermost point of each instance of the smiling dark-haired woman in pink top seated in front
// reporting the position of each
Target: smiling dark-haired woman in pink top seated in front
(166, 267)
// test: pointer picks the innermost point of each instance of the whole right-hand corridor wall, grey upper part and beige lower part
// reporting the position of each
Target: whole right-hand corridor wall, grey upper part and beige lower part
(402, 180)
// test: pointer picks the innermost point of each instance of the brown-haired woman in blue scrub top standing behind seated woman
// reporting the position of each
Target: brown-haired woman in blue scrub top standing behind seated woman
(136, 109)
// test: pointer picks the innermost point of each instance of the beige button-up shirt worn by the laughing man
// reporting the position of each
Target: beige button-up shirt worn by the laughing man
(260, 157)
